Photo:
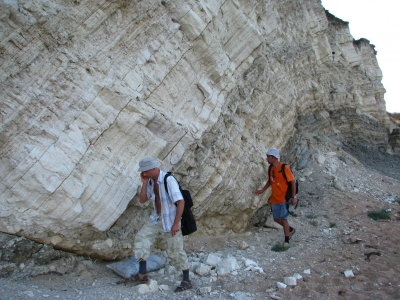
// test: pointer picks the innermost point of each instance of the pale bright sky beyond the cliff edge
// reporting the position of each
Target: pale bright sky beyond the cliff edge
(378, 21)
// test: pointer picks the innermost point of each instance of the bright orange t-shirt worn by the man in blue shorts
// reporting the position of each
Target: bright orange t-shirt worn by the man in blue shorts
(278, 183)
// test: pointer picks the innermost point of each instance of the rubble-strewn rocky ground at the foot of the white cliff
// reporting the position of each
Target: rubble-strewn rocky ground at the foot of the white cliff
(334, 235)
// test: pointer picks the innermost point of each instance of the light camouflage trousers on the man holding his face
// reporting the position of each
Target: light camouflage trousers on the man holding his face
(146, 237)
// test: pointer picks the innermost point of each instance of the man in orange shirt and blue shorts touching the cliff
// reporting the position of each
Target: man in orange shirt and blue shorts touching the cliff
(279, 186)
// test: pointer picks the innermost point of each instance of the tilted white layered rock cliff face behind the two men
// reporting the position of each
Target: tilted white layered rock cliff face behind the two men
(88, 88)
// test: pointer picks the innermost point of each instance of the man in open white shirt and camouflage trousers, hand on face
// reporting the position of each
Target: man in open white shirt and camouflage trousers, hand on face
(164, 221)
